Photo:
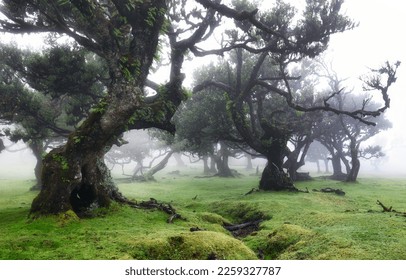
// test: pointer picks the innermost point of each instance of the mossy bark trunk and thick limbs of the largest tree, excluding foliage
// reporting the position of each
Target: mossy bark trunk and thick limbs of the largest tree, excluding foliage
(74, 176)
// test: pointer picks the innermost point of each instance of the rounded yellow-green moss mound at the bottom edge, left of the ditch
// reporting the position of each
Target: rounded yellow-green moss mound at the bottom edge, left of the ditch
(201, 245)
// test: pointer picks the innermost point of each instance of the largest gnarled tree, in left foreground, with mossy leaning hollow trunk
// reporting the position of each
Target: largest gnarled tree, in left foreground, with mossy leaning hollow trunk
(126, 35)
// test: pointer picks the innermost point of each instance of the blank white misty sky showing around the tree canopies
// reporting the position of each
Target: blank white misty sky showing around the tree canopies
(378, 38)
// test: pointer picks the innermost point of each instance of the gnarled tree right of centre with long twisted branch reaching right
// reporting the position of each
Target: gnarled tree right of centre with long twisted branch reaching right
(259, 75)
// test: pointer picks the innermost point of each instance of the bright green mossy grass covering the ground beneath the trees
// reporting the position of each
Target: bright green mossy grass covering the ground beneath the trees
(296, 225)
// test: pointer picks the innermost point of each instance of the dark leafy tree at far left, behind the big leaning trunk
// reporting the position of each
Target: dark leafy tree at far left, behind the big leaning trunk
(46, 94)
